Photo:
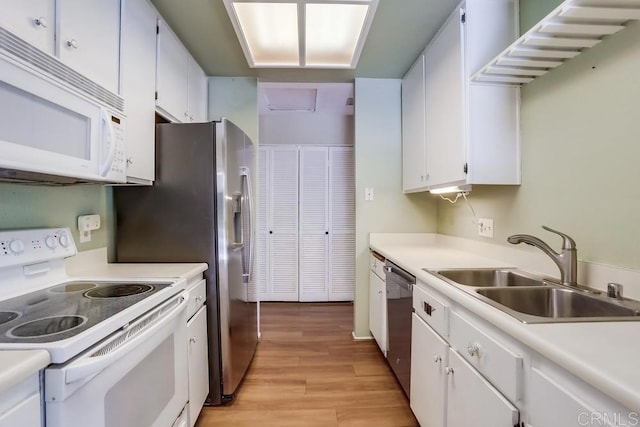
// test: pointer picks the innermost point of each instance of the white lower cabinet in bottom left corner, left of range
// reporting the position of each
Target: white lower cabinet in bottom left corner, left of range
(20, 404)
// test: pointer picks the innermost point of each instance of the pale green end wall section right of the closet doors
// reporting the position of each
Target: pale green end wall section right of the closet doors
(378, 157)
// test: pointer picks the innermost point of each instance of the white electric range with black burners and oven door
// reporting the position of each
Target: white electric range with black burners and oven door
(118, 348)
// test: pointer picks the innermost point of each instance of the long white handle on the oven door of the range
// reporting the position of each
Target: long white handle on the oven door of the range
(88, 365)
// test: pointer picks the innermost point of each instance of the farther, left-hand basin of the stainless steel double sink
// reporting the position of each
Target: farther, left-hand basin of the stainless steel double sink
(490, 277)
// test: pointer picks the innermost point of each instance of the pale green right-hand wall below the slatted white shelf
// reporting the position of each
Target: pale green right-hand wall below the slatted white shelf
(580, 150)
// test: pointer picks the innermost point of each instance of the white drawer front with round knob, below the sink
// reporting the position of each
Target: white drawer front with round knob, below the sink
(501, 366)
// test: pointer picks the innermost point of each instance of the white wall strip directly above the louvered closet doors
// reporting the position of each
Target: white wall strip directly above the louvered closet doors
(306, 129)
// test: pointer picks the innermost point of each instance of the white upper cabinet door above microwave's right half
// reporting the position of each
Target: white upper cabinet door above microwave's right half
(89, 39)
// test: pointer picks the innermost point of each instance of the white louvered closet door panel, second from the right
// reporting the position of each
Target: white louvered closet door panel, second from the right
(314, 216)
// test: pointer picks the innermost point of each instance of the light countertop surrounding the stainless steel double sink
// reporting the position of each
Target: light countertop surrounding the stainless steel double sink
(603, 354)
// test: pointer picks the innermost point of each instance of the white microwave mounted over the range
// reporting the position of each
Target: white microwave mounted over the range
(56, 125)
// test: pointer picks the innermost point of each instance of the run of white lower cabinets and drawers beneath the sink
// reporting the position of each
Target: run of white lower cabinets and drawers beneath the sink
(467, 372)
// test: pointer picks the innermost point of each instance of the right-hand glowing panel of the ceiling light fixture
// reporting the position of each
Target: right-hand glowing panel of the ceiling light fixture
(332, 33)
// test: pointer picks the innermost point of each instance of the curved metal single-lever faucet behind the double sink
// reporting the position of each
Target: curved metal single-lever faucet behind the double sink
(567, 260)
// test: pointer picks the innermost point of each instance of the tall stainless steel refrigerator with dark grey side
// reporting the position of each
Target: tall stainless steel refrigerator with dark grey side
(200, 210)
